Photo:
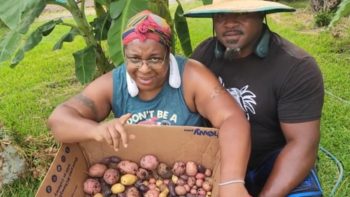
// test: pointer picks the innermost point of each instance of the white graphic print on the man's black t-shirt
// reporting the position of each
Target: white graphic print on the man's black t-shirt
(244, 97)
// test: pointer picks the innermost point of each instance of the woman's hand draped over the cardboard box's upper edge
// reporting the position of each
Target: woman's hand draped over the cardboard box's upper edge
(113, 132)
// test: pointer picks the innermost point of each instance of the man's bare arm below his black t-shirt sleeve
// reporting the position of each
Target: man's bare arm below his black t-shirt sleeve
(295, 160)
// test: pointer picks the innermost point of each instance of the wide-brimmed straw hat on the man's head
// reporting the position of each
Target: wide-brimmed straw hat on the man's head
(237, 6)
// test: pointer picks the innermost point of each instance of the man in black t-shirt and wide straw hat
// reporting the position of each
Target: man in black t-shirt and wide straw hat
(279, 86)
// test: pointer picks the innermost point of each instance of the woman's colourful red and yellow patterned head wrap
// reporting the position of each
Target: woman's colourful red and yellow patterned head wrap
(146, 25)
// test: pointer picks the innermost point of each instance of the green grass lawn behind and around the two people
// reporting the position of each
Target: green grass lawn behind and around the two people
(45, 78)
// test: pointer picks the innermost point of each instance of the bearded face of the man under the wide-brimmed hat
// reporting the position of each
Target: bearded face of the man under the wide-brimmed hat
(238, 32)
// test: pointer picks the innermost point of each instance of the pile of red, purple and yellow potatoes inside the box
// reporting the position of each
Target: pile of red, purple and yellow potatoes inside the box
(114, 177)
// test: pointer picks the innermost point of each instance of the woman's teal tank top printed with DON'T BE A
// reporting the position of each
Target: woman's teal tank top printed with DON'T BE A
(167, 108)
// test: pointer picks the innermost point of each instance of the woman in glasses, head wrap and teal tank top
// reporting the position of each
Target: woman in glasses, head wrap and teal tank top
(154, 87)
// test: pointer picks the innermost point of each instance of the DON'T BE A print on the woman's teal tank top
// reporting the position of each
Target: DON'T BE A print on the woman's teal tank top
(153, 117)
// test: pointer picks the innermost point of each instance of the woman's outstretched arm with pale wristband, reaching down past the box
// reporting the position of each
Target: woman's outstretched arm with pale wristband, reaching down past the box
(204, 93)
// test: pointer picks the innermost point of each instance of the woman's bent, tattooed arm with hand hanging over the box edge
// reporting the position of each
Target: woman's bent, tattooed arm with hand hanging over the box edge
(78, 118)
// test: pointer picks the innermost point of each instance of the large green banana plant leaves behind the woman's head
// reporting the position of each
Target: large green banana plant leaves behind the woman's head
(107, 26)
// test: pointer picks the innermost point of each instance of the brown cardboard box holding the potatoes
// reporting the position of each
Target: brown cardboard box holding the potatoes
(169, 143)
